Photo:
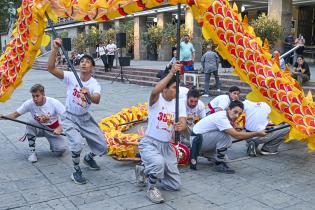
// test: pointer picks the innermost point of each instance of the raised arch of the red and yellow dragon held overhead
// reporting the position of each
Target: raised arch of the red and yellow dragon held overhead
(220, 22)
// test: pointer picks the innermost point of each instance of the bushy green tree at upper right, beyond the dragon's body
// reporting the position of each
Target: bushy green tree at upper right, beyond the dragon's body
(267, 29)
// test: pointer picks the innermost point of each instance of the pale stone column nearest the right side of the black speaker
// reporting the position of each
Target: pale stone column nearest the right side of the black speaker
(140, 50)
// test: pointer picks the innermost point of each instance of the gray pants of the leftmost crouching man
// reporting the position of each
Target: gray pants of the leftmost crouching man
(57, 143)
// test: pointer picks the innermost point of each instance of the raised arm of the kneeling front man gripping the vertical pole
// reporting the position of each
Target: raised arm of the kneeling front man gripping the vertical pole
(162, 84)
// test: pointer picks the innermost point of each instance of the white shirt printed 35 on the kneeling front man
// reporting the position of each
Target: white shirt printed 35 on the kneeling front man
(161, 119)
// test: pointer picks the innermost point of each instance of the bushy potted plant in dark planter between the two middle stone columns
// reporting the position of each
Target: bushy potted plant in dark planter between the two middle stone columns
(153, 39)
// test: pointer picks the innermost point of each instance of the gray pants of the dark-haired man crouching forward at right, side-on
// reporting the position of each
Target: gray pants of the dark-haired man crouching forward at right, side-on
(217, 141)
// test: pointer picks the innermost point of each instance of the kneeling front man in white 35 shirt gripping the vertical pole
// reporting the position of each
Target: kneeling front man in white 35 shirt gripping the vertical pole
(157, 155)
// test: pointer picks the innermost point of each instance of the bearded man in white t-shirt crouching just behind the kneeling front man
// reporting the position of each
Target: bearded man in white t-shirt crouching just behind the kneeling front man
(195, 110)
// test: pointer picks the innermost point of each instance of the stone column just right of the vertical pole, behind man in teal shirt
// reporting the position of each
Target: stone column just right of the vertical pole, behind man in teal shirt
(195, 31)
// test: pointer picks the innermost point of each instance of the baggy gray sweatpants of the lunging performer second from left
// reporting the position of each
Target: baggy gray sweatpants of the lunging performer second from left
(78, 127)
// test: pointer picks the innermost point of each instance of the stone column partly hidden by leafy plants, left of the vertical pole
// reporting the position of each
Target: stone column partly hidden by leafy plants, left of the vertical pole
(165, 49)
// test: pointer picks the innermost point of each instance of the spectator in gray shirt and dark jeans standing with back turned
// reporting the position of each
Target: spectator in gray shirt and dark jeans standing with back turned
(210, 61)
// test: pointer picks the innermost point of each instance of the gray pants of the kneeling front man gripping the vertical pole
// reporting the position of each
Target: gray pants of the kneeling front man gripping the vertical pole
(159, 160)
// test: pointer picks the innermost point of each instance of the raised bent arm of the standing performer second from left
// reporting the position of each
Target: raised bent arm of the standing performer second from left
(52, 60)
